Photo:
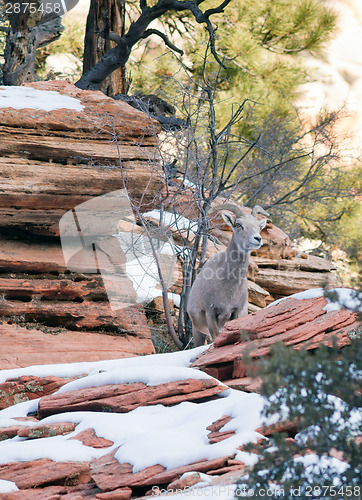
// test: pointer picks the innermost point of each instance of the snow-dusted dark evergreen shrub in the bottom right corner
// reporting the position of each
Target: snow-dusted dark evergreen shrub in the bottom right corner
(321, 392)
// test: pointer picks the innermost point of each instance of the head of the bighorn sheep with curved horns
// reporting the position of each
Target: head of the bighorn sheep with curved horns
(246, 227)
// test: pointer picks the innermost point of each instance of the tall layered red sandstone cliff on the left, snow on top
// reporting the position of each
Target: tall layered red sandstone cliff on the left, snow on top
(51, 160)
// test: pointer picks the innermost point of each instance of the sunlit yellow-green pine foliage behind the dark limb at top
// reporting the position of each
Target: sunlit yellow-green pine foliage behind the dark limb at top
(259, 42)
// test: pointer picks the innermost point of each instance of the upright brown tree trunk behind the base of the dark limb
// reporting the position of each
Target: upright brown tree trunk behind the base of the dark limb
(95, 46)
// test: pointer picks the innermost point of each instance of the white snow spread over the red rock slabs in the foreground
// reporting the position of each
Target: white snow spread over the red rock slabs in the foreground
(170, 436)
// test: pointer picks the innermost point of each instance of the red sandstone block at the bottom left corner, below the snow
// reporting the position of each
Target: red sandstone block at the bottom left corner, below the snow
(44, 471)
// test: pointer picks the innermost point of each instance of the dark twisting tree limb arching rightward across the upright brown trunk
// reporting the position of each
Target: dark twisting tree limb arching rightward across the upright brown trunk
(118, 56)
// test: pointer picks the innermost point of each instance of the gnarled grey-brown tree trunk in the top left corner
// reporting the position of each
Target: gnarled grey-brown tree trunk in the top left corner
(27, 32)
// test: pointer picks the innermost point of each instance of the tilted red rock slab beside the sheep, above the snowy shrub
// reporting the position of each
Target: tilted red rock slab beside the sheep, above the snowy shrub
(303, 323)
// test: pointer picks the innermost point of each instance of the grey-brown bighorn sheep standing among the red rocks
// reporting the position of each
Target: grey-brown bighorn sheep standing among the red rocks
(220, 291)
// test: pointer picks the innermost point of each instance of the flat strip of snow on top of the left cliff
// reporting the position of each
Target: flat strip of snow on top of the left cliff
(29, 98)
